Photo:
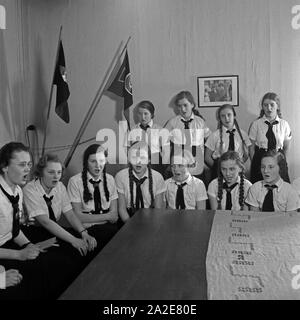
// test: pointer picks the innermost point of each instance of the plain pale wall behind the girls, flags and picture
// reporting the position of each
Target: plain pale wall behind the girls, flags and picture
(172, 43)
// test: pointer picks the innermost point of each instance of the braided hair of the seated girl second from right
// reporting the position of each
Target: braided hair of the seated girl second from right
(231, 155)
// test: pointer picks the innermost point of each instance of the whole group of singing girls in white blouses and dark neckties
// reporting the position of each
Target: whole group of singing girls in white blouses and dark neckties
(94, 201)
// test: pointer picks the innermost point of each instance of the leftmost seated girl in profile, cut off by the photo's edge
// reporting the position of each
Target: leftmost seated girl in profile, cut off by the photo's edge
(27, 266)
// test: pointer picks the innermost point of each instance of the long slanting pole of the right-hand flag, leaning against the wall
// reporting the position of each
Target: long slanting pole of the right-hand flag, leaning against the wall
(94, 104)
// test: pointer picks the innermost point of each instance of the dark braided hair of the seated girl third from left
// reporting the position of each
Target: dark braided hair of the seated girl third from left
(92, 149)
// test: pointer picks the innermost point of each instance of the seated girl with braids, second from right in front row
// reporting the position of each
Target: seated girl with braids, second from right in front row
(229, 190)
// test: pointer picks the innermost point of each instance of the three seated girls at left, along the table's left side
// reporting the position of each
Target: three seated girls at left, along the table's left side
(30, 215)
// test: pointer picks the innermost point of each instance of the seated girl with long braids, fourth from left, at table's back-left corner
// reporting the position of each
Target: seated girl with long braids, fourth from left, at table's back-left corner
(139, 186)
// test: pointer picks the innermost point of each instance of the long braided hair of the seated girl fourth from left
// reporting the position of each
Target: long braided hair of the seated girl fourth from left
(140, 145)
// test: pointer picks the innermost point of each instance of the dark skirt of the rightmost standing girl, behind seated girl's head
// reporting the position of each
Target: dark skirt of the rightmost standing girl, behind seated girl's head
(256, 163)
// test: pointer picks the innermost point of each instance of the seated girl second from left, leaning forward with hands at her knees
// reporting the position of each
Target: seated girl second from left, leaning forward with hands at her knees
(46, 200)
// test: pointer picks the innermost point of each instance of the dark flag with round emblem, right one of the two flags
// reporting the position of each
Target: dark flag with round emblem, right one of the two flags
(121, 85)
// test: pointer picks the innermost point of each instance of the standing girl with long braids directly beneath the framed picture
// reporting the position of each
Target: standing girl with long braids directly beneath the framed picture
(228, 137)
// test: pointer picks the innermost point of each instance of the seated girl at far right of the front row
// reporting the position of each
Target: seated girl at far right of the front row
(272, 193)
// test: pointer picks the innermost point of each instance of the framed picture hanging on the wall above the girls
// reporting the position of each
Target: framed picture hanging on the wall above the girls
(215, 91)
